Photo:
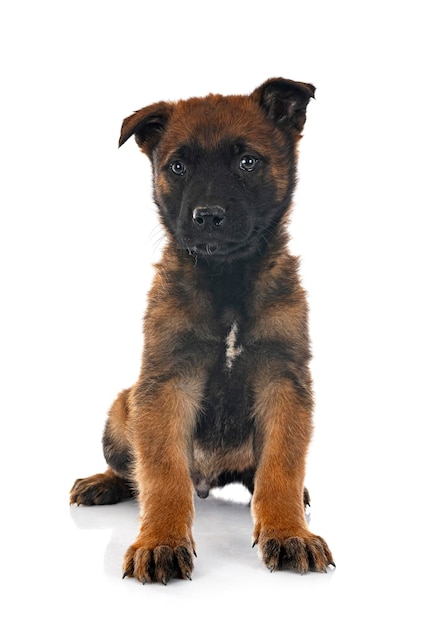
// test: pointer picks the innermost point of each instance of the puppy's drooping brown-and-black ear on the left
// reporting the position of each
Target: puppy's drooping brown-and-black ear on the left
(147, 125)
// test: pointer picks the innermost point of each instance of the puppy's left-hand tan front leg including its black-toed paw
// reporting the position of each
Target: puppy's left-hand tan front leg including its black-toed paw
(162, 422)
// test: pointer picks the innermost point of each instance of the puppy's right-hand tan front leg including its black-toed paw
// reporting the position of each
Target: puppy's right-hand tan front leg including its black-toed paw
(283, 414)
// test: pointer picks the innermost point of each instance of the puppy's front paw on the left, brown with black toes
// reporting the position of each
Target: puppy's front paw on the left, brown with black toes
(161, 563)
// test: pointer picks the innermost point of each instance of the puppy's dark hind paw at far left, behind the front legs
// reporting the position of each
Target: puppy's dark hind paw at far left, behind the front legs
(99, 489)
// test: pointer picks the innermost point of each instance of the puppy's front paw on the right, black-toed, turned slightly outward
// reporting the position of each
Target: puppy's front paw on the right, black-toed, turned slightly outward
(302, 551)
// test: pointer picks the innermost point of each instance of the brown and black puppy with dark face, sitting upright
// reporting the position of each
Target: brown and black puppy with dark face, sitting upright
(224, 392)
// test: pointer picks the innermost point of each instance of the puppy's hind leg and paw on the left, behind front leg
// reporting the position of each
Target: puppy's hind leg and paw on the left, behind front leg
(115, 484)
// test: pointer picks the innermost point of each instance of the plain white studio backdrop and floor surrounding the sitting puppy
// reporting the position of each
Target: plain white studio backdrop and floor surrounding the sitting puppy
(79, 233)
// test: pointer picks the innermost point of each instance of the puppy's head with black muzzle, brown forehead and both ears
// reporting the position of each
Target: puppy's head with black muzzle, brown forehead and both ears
(224, 166)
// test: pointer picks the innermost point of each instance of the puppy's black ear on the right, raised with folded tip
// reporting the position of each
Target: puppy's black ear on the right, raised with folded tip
(285, 102)
